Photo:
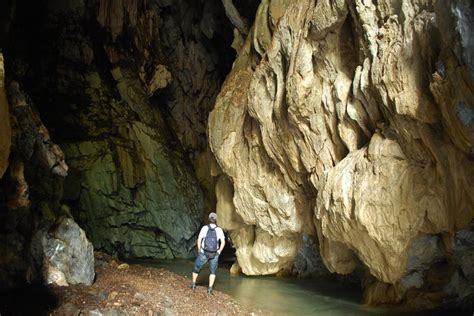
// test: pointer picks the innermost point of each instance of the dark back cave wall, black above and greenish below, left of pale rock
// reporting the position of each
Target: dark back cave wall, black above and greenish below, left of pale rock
(125, 88)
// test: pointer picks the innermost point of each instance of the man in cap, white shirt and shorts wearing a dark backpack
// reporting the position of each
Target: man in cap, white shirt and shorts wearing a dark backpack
(210, 243)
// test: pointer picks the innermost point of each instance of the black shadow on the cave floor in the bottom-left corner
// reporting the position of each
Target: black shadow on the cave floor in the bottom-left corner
(27, 300)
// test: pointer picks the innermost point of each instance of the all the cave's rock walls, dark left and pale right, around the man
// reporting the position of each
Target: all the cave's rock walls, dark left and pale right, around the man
(334, 139)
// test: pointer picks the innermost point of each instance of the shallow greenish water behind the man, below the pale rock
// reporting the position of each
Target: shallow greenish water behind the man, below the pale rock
(282, 295)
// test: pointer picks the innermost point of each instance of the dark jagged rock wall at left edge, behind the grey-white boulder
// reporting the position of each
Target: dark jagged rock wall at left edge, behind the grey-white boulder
(31, 190)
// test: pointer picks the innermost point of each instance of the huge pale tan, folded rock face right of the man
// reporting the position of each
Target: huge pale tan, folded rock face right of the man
(352, 121)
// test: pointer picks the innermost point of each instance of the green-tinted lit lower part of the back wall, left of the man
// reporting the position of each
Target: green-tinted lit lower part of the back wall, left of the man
(140, 205)
